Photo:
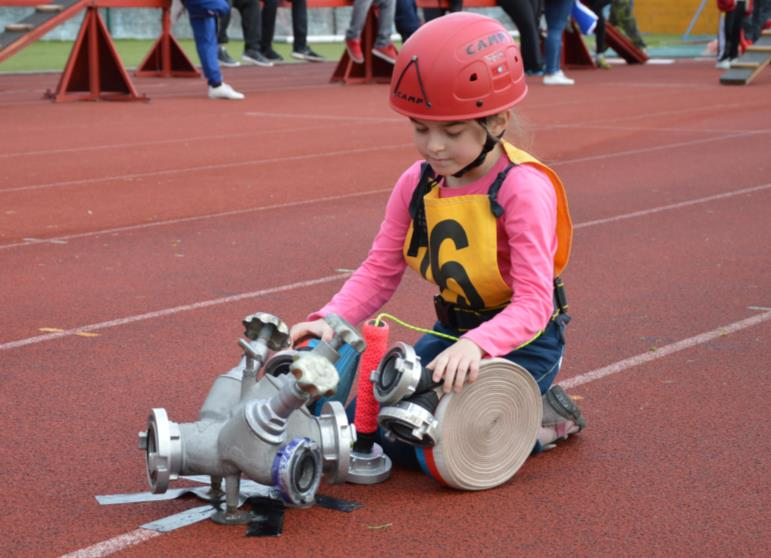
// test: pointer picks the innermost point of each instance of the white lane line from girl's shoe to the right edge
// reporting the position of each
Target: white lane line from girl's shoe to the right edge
(664, 351)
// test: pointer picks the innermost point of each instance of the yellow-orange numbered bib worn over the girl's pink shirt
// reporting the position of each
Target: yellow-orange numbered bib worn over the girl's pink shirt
(461, 256)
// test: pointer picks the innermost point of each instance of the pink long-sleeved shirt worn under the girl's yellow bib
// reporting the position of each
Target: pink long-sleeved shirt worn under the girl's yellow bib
(527, 243)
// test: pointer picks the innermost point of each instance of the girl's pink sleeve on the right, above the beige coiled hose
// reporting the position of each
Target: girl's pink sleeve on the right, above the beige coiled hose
(530, 223)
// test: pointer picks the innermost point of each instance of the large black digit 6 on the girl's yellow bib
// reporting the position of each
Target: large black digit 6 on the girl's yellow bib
(453, 231)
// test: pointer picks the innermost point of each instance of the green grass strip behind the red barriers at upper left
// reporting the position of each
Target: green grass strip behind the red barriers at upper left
(52, 55)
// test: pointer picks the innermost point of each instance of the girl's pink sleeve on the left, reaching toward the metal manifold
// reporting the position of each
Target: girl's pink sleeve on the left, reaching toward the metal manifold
(375, 280)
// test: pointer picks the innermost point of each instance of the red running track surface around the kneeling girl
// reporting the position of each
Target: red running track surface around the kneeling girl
(118, 220)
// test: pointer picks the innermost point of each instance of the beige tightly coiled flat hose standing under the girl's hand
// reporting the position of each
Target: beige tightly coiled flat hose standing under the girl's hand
(487, 431)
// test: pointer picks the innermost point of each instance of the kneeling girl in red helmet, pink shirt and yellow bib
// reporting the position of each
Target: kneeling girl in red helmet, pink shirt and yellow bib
(485, 221)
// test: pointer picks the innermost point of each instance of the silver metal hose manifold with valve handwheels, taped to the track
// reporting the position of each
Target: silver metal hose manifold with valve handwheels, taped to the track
(261, 429)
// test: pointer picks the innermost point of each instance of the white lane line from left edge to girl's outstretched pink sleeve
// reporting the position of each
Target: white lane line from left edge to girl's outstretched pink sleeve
(169, 311)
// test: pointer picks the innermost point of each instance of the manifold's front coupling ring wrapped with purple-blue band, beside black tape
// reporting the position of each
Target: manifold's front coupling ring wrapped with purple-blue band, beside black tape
(296, 471)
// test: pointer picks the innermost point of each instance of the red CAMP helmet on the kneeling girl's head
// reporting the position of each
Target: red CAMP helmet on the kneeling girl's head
(457, 67)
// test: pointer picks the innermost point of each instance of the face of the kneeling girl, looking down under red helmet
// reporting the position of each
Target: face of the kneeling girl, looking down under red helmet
(450, 146)
